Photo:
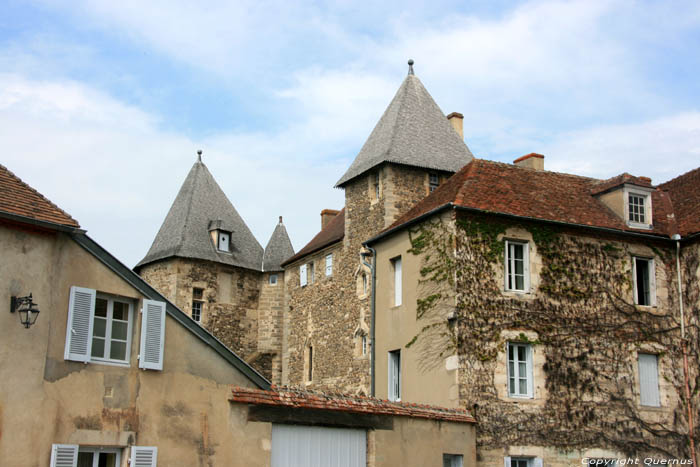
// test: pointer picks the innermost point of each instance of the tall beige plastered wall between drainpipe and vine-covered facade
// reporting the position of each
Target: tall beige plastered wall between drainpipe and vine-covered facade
(425, 378)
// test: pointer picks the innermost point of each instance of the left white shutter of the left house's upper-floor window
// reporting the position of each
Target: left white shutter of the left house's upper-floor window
(81, 313)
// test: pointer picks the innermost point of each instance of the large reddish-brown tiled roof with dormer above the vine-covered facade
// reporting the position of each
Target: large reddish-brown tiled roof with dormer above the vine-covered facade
(551, 196)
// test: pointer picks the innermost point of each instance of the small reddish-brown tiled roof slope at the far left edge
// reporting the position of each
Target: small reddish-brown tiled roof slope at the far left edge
(16, 197)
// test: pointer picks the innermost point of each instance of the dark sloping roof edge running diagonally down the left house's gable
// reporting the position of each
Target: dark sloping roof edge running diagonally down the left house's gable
(148, 291)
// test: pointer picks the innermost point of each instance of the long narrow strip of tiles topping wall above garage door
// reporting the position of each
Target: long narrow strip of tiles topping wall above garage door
(302, 399)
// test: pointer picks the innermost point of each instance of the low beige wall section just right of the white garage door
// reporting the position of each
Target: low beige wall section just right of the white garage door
(421, 442)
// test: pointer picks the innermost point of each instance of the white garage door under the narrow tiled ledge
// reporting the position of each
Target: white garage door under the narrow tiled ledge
(310, 446)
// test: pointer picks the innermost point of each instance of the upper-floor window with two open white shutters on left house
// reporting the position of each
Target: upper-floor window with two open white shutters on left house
(109, 330)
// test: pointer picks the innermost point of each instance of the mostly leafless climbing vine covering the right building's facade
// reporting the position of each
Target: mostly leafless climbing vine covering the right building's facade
(587, 330)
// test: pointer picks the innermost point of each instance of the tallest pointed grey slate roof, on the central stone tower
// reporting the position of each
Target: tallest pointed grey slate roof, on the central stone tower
(413, 131)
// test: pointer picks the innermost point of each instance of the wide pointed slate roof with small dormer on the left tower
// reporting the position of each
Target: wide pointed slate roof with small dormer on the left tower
(200, 206)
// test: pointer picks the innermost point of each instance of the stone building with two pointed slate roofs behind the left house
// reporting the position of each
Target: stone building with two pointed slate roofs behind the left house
(206, 260)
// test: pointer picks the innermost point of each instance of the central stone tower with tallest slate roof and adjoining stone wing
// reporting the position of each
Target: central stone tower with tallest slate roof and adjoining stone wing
(412, 149)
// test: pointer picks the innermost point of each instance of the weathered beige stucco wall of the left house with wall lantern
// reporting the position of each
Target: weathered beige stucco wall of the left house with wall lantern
(183, 410)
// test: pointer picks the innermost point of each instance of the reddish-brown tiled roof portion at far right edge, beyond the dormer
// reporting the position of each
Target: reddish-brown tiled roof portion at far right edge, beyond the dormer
(685, 194)
